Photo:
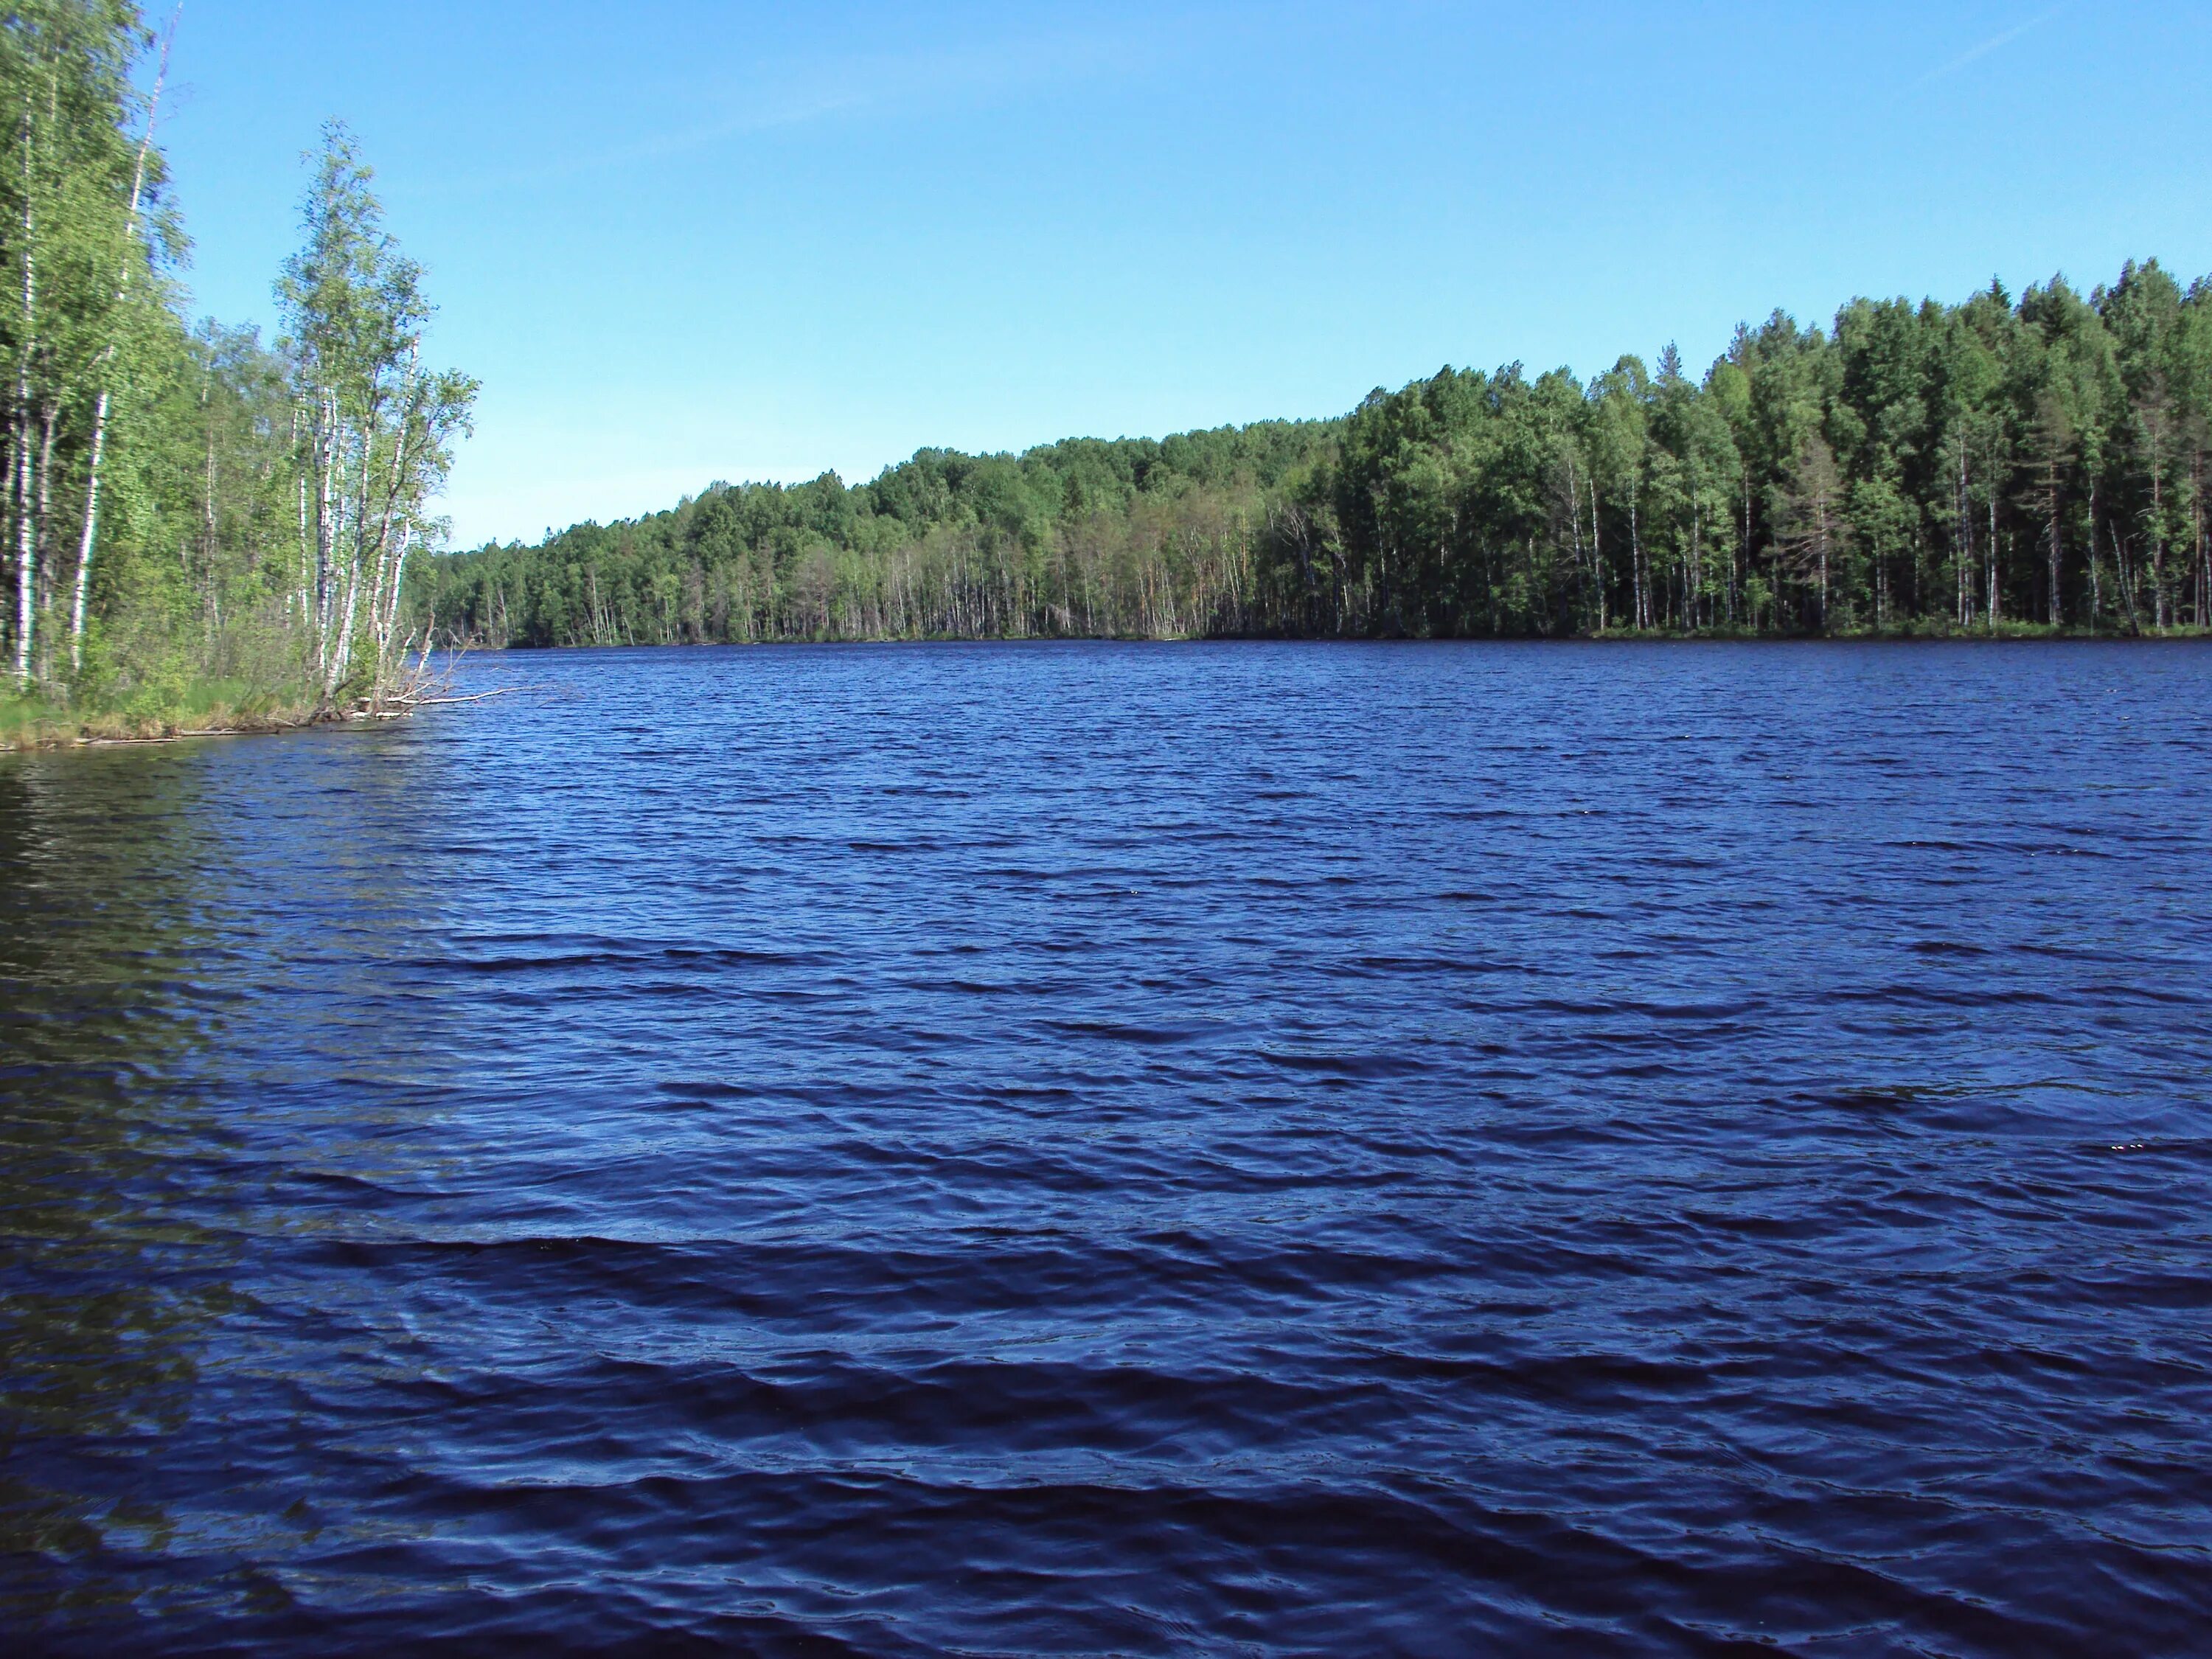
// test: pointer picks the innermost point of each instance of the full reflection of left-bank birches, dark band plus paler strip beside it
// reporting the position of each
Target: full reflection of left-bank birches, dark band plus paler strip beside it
(191, 950)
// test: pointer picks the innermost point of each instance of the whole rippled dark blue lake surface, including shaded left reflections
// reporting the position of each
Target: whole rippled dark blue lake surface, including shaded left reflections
(1105, 1149)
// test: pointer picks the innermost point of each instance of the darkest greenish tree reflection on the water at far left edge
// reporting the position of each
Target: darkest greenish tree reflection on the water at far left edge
(109, 1291)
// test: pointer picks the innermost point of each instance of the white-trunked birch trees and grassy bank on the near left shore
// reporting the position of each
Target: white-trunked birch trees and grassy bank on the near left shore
(196, 523)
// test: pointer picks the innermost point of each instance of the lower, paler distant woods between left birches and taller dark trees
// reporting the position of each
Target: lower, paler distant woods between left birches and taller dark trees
(1076, 539)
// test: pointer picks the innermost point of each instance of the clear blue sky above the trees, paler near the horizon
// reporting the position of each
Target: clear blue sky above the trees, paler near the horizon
(687, 242)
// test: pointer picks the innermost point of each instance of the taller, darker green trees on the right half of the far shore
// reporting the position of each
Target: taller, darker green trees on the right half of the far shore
(1914, 470)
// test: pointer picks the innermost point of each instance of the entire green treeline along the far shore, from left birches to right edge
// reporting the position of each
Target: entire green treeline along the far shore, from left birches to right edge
(1928, 468)
